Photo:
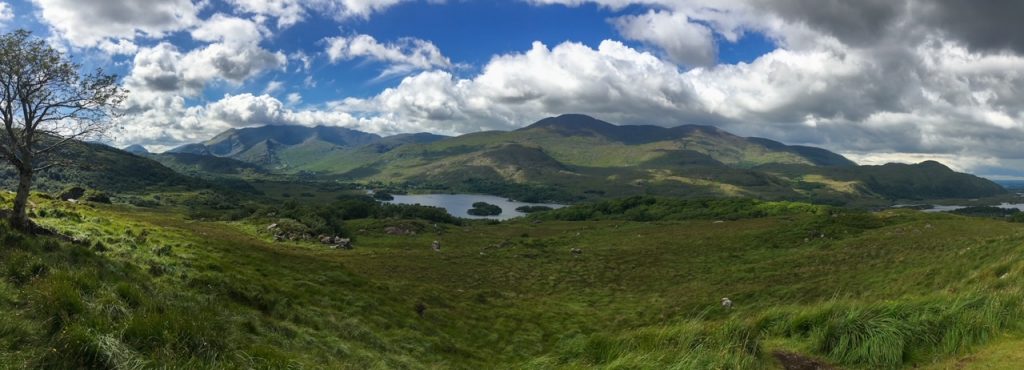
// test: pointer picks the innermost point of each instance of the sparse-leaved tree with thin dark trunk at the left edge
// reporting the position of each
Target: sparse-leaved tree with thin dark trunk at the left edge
(47, 105)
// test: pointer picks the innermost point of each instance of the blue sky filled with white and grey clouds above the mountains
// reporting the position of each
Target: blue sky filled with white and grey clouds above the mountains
(876, 80)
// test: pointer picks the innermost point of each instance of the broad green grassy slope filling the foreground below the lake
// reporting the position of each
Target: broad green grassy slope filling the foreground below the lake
(150, 289)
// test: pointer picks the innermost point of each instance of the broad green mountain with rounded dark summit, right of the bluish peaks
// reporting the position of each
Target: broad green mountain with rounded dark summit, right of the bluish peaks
(583, 157)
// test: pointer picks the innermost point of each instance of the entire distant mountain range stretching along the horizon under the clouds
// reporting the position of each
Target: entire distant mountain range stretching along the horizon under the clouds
(575, 157)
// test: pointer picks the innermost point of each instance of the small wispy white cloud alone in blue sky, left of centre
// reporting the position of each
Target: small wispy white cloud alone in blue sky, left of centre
(406, 56)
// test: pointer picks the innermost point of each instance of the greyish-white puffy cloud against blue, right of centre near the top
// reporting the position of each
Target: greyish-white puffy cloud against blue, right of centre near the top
(686, 43)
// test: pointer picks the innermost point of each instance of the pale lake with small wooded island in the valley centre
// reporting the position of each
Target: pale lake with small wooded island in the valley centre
(459, 204)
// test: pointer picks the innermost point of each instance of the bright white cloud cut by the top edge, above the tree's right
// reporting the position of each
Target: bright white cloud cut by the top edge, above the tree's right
(90, 23)
